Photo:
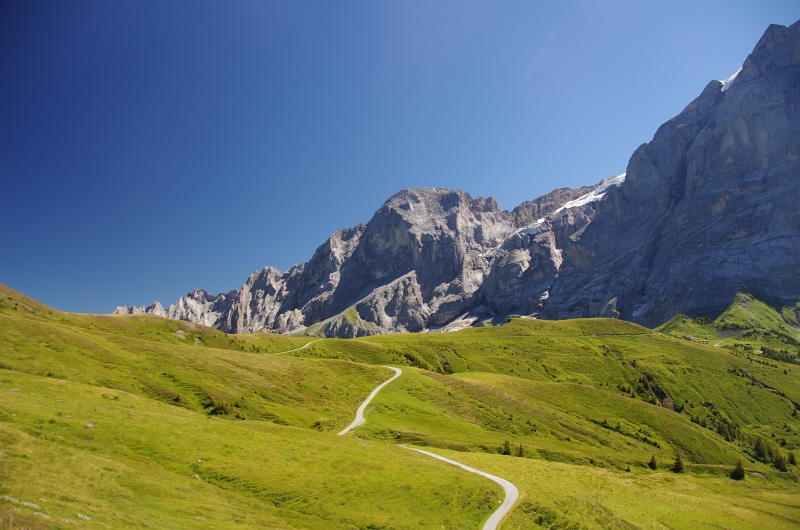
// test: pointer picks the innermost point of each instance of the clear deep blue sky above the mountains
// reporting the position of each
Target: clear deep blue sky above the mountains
(150, 148)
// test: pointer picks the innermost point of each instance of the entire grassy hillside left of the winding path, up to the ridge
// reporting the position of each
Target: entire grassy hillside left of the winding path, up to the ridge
(114, 419)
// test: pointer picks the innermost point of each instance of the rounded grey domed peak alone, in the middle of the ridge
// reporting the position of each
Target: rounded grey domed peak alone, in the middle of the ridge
(423, 258)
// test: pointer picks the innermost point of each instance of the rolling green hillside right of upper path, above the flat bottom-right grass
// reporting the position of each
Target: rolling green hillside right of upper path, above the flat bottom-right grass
(590, 375)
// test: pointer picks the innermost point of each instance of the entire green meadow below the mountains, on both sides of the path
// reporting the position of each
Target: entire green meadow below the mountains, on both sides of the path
(138, 421)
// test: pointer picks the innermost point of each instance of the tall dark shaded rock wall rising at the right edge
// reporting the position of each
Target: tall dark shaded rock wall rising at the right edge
(709, 206)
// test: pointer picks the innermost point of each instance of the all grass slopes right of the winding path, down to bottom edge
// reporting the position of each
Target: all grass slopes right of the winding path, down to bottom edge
(600, 397)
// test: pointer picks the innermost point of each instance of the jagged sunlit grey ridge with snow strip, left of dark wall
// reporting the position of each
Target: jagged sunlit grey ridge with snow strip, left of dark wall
(426, 258)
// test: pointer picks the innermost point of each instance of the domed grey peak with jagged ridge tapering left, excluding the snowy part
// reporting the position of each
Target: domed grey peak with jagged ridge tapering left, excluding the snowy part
(418, 263)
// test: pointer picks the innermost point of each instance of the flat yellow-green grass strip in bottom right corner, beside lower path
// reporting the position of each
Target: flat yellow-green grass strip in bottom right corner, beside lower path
(558, 495)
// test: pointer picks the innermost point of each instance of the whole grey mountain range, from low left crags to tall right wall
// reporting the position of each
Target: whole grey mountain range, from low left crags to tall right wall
(708, 208)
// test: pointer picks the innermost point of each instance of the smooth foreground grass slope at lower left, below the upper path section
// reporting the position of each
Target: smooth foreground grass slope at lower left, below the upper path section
(127, 461)
